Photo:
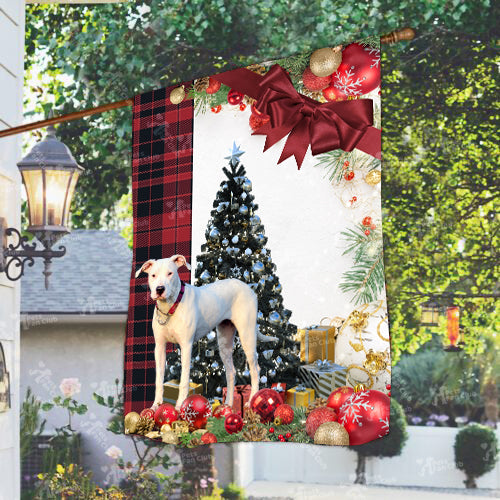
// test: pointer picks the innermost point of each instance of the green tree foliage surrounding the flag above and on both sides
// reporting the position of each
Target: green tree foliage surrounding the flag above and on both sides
(438, 102)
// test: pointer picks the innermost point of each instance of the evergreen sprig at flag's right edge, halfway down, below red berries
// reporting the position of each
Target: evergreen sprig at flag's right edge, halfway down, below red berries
(366, 278)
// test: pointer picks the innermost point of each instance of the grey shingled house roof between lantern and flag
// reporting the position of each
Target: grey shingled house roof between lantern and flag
(92, 278)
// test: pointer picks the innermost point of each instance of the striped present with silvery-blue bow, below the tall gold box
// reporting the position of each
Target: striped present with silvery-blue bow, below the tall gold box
(323, 376)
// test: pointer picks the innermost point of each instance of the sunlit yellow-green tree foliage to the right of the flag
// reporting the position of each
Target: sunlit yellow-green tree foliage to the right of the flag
(440, 183)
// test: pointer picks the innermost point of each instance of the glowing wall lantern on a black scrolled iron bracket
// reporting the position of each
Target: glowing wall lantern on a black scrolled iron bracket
(50, 174)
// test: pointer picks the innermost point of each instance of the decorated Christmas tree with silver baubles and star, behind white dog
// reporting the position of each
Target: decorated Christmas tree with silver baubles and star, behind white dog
(235, 248)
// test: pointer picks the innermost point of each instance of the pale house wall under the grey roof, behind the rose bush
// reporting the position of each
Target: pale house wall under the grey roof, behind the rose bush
(93, 353)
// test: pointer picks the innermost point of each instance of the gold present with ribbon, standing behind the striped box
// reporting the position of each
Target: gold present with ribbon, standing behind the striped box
(318, 342)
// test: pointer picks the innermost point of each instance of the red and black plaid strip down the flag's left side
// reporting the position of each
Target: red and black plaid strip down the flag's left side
(162, 172)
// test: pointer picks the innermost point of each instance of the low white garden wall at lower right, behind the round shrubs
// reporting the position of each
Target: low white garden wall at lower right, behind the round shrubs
(427, 460)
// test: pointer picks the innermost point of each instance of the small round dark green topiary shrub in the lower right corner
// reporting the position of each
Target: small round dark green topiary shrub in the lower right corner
(476, 452)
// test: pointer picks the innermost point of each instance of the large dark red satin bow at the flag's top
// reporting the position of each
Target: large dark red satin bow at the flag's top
(324, 126)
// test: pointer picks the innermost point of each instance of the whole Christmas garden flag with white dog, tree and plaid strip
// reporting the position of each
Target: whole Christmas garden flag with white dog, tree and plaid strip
(257, 299)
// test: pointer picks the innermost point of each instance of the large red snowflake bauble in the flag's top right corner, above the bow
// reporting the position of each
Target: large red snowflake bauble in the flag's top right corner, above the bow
(359, 72)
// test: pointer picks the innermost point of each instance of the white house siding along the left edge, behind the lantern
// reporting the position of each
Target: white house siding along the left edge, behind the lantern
(11, 88)
